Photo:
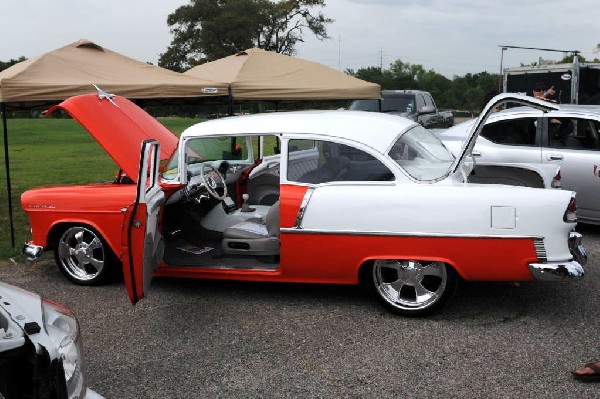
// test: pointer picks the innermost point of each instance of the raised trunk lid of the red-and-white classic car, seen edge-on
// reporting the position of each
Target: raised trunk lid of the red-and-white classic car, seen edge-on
(498, 100)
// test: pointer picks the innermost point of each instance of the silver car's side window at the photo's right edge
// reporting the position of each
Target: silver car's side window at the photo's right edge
(573, 133)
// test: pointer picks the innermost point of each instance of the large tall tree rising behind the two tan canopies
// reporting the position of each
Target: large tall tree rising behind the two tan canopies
(206, 30)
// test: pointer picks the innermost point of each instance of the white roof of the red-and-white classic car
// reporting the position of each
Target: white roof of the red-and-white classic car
(373, 129)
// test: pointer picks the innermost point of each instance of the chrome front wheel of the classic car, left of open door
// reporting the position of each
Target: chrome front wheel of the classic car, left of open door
(81, 253)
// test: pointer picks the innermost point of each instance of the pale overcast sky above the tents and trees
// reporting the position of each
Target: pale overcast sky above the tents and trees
(452, 37)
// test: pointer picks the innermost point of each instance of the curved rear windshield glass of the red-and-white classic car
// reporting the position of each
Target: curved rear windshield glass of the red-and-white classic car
(421, 154)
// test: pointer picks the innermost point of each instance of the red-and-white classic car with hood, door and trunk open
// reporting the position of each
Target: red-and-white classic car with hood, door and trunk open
(337, 197)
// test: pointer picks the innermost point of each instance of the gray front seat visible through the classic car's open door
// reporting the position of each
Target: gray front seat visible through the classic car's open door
(255, 236)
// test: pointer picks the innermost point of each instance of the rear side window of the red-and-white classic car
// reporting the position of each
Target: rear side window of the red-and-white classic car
(325, 161)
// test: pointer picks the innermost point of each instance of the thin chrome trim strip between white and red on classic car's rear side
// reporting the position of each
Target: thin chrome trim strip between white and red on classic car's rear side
(294, 230)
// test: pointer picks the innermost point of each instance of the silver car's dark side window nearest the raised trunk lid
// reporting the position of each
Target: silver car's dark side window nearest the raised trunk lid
(512, 132)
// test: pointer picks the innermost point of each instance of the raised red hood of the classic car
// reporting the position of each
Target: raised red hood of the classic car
(119, 126)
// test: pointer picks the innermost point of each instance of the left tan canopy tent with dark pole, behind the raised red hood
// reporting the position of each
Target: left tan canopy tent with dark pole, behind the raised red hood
(71, 70)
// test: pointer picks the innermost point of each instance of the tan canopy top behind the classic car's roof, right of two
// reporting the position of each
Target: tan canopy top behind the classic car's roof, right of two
(256, 74)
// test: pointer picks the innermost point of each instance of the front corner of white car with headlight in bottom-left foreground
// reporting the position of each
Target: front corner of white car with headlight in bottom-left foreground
(41, 353)
